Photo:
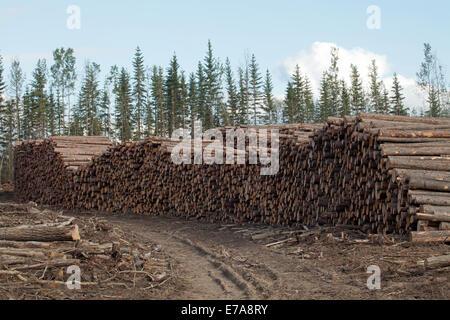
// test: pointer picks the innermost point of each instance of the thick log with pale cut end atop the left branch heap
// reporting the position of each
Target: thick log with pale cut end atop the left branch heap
(39, 233)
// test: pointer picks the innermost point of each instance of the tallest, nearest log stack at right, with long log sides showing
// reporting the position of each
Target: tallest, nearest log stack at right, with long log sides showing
(380, 172)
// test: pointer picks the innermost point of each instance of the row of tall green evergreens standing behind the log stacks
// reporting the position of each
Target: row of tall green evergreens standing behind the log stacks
(153, 101)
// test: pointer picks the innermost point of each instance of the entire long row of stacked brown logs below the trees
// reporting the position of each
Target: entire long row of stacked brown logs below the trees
(384, 174)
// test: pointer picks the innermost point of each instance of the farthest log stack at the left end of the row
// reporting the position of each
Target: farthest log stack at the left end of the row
(44, 168)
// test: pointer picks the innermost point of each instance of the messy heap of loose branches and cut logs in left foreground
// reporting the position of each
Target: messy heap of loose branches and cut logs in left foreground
(38, 246)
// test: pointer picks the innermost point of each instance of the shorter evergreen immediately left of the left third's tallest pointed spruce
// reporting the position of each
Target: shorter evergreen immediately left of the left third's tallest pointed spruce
(124, 107)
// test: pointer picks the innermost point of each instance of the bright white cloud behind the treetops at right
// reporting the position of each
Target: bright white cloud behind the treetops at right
(316, 60)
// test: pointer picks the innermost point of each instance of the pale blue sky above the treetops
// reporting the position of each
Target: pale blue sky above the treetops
(275, 31)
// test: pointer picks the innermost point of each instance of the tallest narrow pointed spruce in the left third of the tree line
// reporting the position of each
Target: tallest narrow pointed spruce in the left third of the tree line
(139, 93)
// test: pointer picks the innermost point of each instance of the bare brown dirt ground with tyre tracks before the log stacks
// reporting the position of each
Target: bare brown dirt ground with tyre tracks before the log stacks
(231, 261)
